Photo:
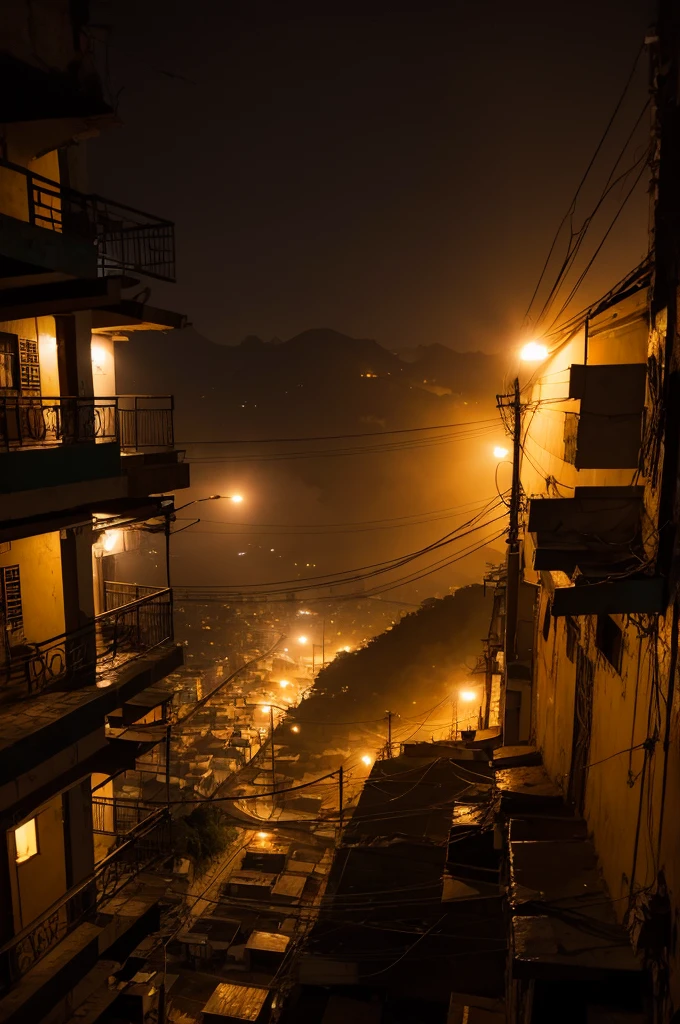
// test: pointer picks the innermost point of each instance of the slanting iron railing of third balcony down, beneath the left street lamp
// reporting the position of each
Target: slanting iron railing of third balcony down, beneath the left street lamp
(111, 641)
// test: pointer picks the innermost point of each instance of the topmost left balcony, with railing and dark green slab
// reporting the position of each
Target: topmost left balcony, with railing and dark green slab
(48, 227)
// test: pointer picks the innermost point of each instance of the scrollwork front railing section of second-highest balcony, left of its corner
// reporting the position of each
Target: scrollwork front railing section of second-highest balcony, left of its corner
(27, 421)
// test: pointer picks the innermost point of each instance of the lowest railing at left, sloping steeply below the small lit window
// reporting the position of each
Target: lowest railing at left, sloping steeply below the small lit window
(138, 850)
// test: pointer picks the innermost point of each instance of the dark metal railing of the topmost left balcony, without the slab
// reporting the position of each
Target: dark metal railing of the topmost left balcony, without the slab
(126, 239)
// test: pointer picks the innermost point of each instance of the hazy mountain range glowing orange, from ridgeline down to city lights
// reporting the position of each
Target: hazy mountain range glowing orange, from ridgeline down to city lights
(317, 385)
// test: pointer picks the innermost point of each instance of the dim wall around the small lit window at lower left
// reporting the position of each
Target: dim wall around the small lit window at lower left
(38, 883)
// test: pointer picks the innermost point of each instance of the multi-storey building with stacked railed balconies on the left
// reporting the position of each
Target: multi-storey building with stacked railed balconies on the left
(79, 465)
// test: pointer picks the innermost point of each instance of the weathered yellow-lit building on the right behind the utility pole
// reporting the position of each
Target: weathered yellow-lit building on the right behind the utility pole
(600, 473)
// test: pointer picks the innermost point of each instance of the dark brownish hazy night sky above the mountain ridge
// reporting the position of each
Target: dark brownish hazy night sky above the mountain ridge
(394, 172)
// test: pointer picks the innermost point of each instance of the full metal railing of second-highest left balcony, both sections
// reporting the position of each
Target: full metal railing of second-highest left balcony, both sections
(137, 422)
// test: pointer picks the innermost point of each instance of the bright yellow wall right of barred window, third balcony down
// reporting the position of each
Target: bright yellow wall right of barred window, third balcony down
(39, 560)
